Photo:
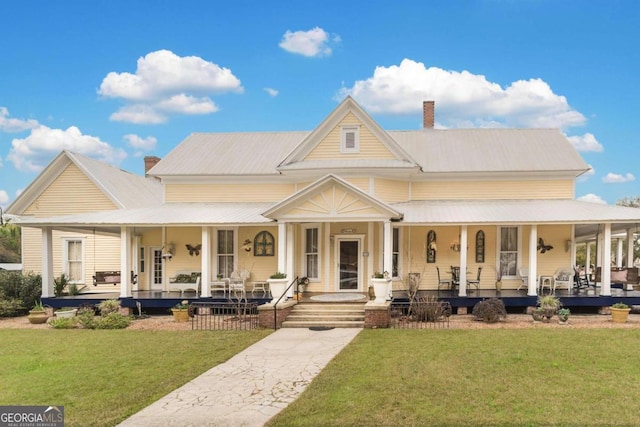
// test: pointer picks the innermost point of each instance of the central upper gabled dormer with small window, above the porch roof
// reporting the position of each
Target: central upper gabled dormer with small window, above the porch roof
(347, 138)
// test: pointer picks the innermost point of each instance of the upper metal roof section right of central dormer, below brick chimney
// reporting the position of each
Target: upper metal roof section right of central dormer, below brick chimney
(490, 150)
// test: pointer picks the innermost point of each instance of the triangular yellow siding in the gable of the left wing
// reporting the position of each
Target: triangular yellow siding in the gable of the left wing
(72, 192)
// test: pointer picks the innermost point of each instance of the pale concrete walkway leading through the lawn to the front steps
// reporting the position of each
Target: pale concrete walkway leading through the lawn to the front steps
(252, 386)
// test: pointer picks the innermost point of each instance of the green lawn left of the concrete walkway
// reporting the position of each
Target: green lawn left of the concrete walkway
(102, 377)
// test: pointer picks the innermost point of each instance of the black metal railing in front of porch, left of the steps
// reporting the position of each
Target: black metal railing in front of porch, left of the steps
(239, 316)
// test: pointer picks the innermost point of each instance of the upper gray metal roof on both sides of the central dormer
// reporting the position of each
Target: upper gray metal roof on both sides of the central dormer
(436, 151)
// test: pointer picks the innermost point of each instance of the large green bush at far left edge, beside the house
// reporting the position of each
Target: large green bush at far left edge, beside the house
(26, 288)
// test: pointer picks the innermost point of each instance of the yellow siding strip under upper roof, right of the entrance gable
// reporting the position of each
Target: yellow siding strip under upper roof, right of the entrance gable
(547, 189)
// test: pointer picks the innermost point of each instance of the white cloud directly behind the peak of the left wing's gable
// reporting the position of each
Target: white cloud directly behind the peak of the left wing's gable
(33, 153)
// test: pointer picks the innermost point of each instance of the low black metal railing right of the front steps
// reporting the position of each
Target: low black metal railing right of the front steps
(420, 314)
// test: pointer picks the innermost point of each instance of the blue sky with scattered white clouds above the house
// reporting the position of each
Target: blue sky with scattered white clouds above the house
(118, 80)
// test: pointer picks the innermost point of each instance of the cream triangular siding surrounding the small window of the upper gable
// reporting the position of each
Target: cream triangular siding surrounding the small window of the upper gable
(370, 146)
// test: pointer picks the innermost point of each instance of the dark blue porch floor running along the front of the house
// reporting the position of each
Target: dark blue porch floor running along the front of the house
(587, 298)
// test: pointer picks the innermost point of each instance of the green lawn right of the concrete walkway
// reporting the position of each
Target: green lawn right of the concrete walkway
(551, 377)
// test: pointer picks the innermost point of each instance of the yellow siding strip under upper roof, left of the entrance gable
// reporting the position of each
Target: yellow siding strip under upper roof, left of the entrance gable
(227, 192)
